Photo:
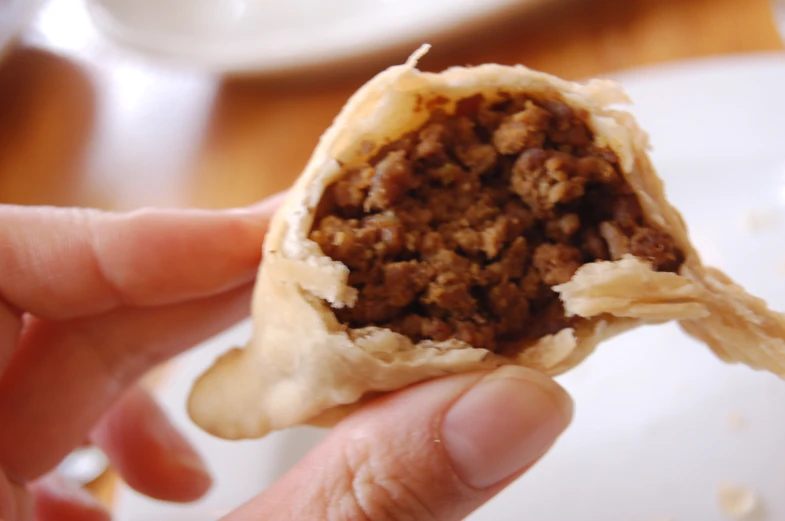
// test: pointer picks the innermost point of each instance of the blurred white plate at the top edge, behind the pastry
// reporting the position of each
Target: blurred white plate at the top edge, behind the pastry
(278, 35)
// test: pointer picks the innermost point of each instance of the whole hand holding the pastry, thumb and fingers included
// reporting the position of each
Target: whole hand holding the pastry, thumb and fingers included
(90, 301)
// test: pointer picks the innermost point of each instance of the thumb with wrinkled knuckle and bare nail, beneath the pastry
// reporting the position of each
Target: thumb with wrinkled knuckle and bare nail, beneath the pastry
(436, 451)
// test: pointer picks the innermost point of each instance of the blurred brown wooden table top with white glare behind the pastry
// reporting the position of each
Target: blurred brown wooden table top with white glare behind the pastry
(85, 122)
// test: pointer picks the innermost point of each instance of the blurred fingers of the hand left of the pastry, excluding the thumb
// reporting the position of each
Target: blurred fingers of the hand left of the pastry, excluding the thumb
(90, 301)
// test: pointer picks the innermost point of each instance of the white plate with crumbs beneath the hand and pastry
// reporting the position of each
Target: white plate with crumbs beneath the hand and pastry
(660, 422)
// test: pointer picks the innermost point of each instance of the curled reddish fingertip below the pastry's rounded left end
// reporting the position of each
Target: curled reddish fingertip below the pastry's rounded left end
(148, 452)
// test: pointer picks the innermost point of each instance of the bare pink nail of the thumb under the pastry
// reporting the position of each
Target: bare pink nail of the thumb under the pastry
(503, 424)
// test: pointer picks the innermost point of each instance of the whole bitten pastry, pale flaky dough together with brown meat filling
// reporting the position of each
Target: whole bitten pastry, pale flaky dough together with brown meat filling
(380, 271)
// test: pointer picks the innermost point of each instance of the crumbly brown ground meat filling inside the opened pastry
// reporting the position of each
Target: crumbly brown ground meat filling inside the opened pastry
(461, 228)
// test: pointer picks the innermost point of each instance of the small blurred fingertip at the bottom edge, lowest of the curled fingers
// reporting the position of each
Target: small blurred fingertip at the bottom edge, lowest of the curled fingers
(56, 499)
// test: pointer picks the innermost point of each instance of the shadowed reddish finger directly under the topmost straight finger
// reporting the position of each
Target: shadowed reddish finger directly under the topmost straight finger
(65, 375)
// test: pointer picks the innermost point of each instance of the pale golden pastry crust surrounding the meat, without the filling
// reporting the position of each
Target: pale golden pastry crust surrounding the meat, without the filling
(302, 366)
